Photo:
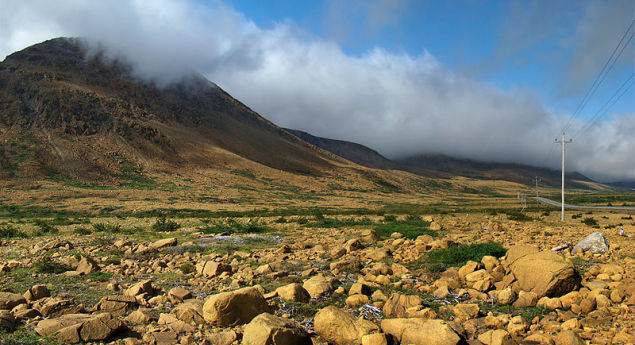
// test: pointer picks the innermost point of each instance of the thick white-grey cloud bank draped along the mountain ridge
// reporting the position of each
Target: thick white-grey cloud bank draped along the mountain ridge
(396, 103)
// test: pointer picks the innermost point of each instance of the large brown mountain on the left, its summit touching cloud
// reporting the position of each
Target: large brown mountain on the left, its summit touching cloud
(66, 110)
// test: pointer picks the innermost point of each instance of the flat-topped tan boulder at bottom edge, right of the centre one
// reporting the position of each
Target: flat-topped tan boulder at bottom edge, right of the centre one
(420, 331)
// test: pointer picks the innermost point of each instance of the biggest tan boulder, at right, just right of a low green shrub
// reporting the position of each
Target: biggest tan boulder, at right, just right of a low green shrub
(544, 273)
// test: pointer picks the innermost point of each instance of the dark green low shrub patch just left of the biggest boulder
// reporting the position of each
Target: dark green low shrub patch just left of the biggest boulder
(441, 259)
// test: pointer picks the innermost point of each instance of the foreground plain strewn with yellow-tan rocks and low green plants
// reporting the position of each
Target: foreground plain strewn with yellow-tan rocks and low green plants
(300, 280)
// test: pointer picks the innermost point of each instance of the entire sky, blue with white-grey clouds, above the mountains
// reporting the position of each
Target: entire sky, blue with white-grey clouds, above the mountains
(486, 80)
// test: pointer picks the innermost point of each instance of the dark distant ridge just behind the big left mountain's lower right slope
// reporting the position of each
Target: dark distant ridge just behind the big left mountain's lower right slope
(354, 152)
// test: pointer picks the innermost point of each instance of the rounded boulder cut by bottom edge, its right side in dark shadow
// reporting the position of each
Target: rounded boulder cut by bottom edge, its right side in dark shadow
(267, 329)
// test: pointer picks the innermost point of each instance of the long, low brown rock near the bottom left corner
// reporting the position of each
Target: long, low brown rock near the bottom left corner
(75, 328)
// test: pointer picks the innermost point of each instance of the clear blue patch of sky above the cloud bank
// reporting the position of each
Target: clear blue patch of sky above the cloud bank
(510, 44)
